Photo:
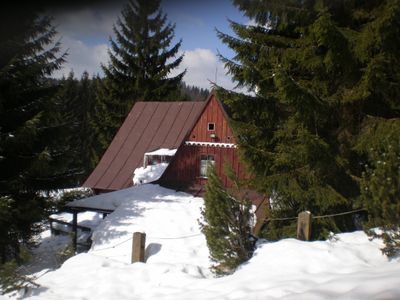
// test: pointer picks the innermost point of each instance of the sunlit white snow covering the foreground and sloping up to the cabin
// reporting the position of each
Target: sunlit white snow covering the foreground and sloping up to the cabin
(349, 266)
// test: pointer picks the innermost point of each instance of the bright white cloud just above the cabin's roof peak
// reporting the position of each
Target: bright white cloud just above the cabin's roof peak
(203, 67)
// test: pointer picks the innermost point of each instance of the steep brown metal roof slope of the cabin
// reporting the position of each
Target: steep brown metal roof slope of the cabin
(149, 126)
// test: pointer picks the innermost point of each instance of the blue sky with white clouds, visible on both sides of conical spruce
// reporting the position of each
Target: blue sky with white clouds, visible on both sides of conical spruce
(85, 32)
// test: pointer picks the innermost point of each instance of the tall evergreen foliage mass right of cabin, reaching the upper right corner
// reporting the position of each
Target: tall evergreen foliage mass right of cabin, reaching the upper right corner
(316, 71)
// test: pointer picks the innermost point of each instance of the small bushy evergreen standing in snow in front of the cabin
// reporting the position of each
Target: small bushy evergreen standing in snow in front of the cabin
(226, 224)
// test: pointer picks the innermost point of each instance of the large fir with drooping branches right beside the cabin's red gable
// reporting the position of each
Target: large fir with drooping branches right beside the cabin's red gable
(299, 65)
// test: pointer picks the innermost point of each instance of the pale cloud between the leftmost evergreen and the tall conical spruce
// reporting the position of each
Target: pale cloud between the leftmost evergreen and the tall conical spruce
(82, 57)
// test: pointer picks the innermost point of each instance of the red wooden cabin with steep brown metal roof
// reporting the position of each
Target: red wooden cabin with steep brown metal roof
(198, 130)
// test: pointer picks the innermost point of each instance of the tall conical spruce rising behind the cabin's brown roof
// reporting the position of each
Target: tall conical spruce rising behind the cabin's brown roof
(141, 61)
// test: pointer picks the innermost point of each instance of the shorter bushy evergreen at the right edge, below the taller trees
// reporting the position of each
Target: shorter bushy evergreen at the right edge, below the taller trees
(380, 186)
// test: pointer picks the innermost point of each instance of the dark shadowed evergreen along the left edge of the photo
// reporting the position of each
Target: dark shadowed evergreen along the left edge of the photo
(31, 157)
